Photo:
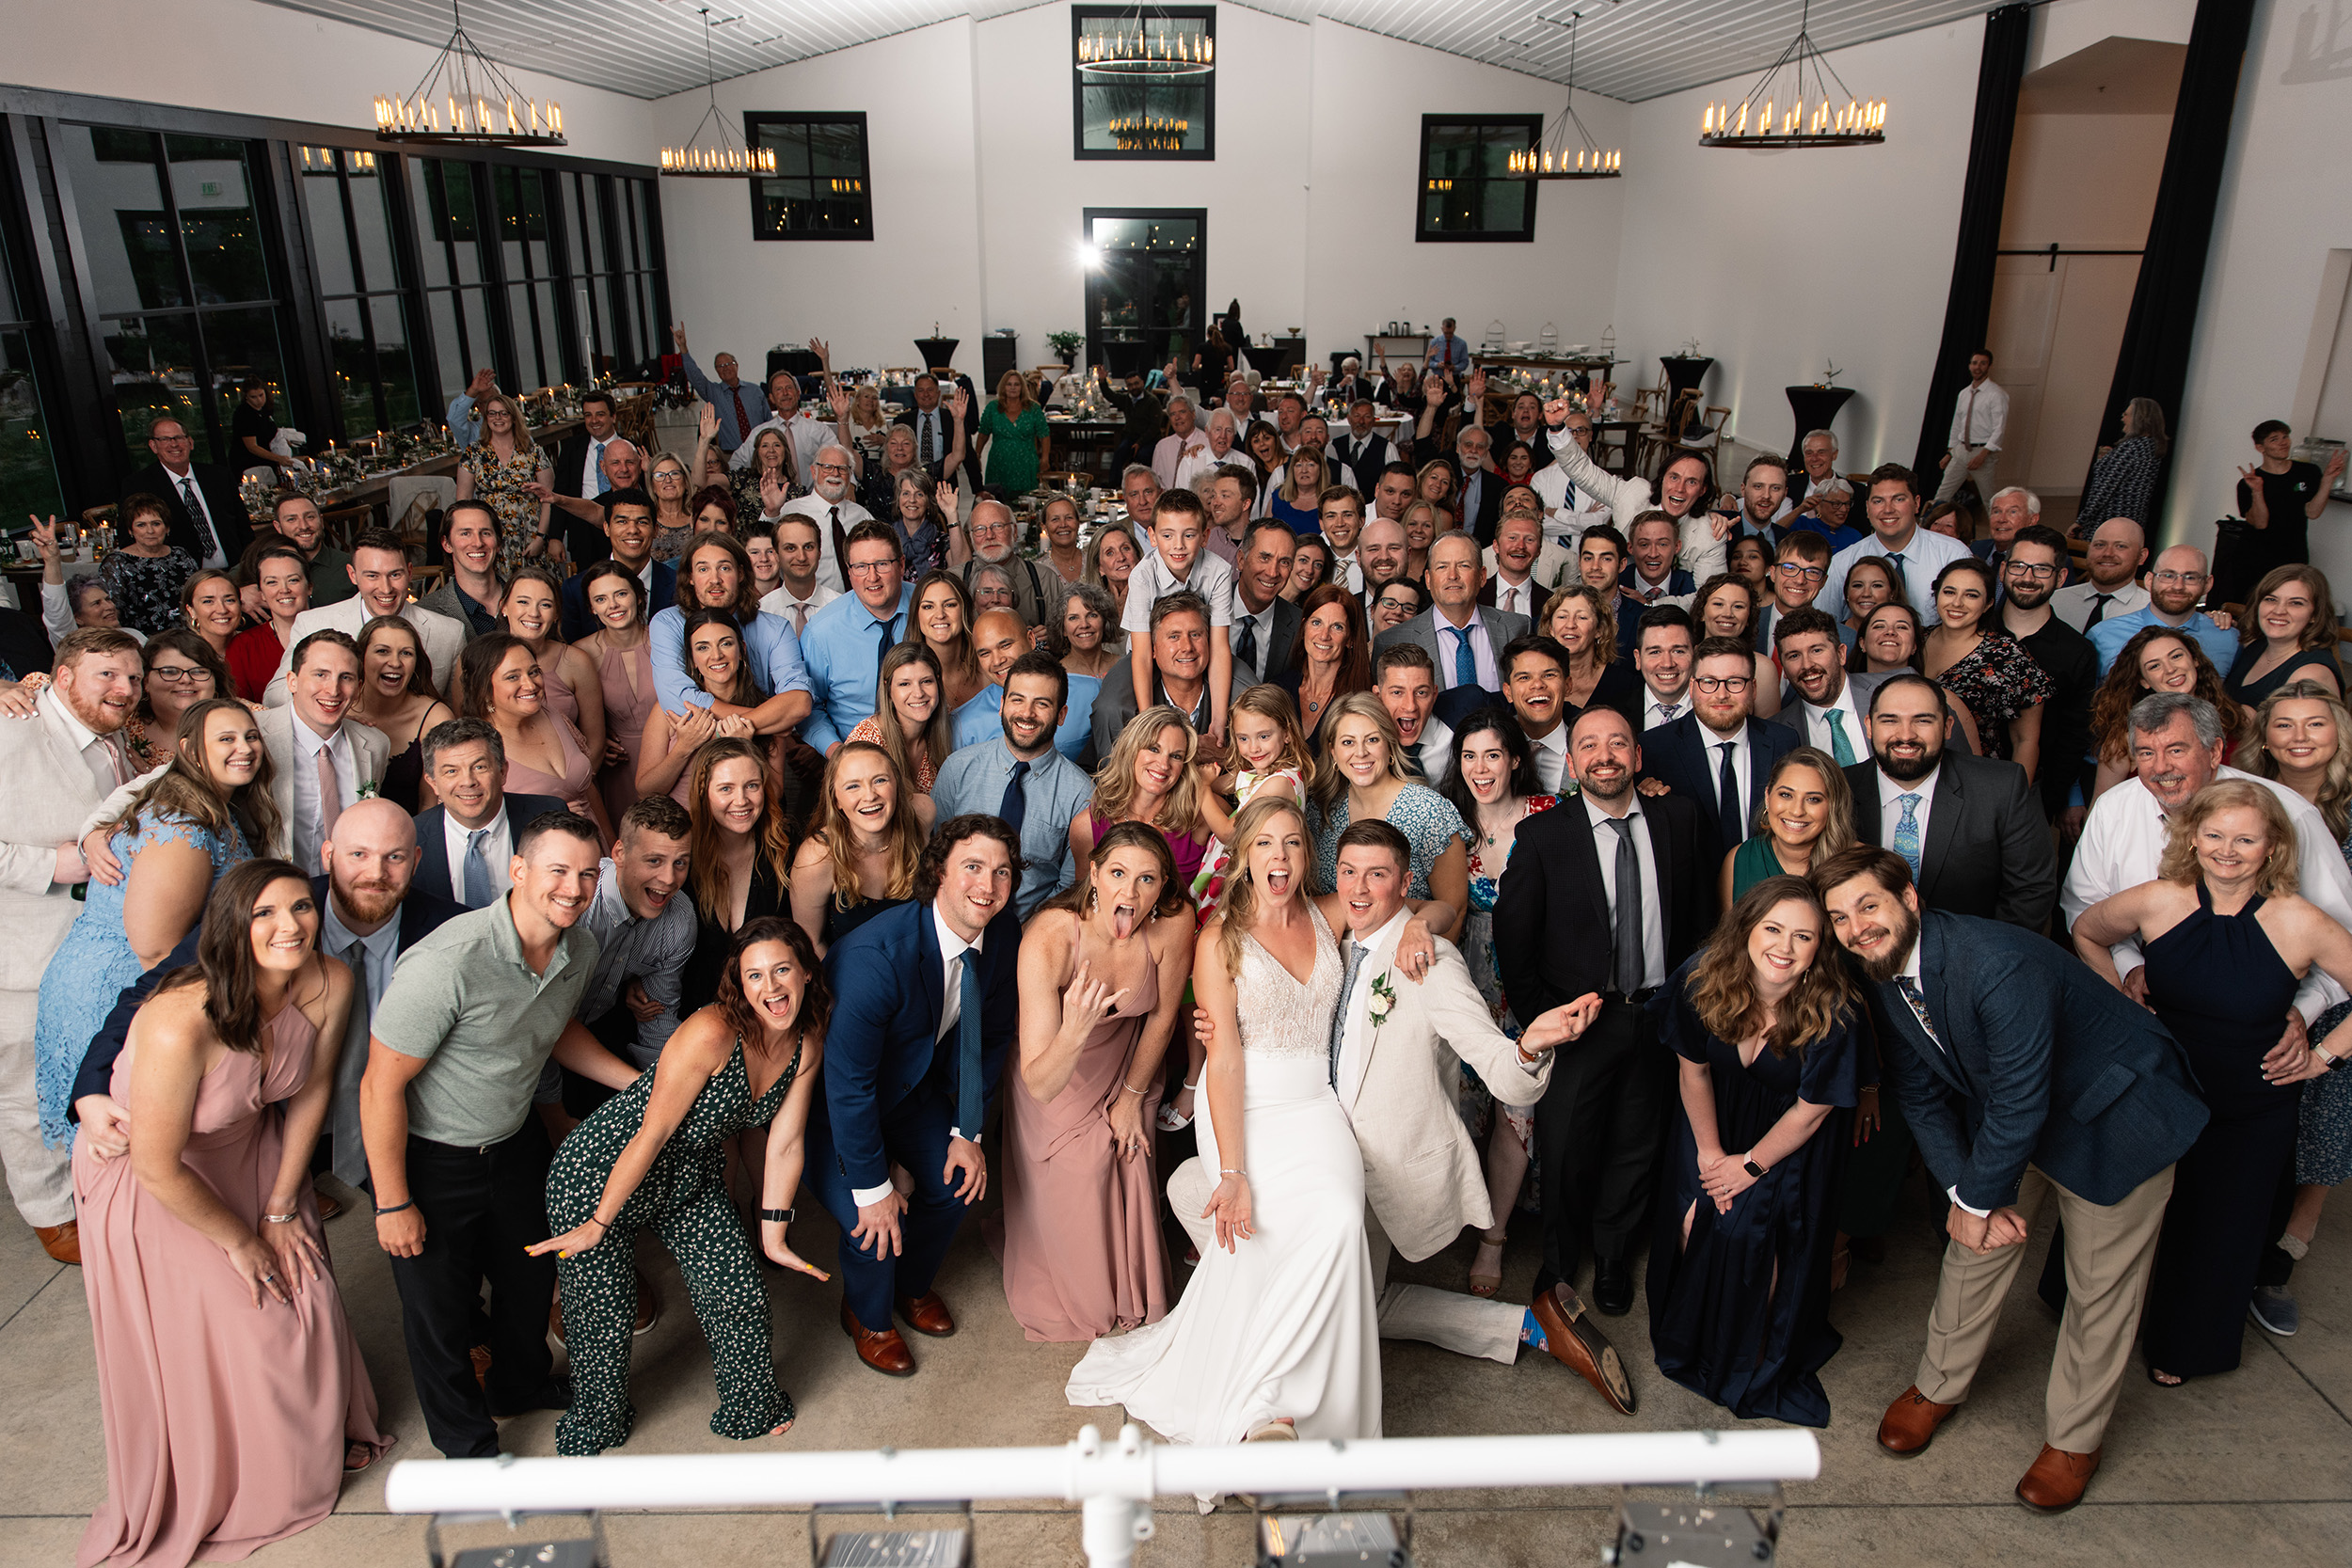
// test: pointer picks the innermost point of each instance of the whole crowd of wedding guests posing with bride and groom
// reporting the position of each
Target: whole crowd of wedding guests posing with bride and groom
(1699, 862)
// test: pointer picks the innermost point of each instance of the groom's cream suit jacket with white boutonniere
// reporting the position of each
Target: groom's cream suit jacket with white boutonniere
(1422, 1172)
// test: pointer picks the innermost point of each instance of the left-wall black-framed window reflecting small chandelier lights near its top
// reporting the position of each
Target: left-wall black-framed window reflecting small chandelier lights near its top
(363, 290)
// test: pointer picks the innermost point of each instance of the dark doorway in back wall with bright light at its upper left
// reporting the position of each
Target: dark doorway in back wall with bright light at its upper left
(1147, 286)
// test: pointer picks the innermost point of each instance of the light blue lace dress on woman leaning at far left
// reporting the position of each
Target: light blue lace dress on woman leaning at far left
(95, 963)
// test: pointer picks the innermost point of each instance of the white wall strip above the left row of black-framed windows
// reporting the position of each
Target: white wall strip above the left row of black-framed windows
(262, 60)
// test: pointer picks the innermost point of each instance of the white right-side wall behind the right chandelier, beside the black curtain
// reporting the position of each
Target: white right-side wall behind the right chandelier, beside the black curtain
(1779, 262)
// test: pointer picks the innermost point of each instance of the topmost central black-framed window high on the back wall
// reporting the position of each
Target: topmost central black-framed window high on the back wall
(1144, 114)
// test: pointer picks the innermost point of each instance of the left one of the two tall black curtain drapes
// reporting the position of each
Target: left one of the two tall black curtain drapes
(1970, 309)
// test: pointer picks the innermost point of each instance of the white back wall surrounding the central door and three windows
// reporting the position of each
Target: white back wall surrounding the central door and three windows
(980, 201)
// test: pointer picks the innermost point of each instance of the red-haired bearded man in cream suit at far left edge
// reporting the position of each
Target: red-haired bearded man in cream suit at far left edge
(58, 765)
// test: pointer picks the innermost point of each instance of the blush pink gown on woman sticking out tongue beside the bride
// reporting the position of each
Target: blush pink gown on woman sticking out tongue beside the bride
(1083, 1249)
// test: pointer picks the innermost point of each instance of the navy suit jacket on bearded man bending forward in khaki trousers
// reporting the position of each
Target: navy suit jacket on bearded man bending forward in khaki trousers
(2040, 1064)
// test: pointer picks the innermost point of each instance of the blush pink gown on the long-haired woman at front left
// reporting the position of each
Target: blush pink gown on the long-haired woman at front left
(225, 1423)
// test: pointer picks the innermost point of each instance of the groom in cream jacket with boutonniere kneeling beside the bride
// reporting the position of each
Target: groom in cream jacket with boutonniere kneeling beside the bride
(1398, 1043)
